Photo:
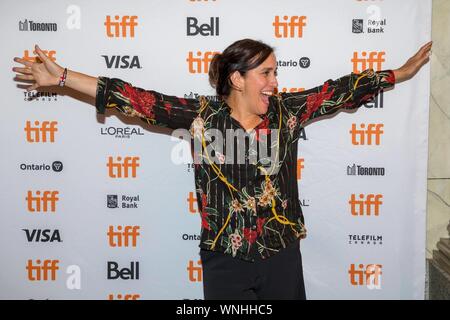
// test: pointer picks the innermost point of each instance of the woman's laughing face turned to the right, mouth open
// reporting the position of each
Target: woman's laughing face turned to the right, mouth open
(259, 84)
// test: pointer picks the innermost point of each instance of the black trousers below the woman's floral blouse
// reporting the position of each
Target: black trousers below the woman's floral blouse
(278, 277)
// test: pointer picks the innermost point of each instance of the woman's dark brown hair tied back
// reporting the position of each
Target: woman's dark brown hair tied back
(242, 56)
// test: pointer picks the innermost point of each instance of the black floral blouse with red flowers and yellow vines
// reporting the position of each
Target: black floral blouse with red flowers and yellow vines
(247, 203)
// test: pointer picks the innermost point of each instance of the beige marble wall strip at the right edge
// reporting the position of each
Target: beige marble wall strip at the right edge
(438, 204)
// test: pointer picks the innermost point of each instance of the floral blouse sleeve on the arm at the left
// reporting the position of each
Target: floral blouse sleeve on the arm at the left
(153, 107)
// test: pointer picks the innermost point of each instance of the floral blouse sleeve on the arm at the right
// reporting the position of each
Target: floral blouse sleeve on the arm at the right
(348, 92)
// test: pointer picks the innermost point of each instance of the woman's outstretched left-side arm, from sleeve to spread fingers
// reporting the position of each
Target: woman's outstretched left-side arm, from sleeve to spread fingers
(153, 107)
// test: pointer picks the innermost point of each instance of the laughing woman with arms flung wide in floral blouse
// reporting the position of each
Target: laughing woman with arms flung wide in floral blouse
(251, 218)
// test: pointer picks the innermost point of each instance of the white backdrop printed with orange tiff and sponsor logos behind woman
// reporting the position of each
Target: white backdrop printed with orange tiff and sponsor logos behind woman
(74, 227)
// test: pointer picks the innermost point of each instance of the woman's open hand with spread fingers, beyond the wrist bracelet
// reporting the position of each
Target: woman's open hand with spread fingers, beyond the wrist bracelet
(44, 72)
